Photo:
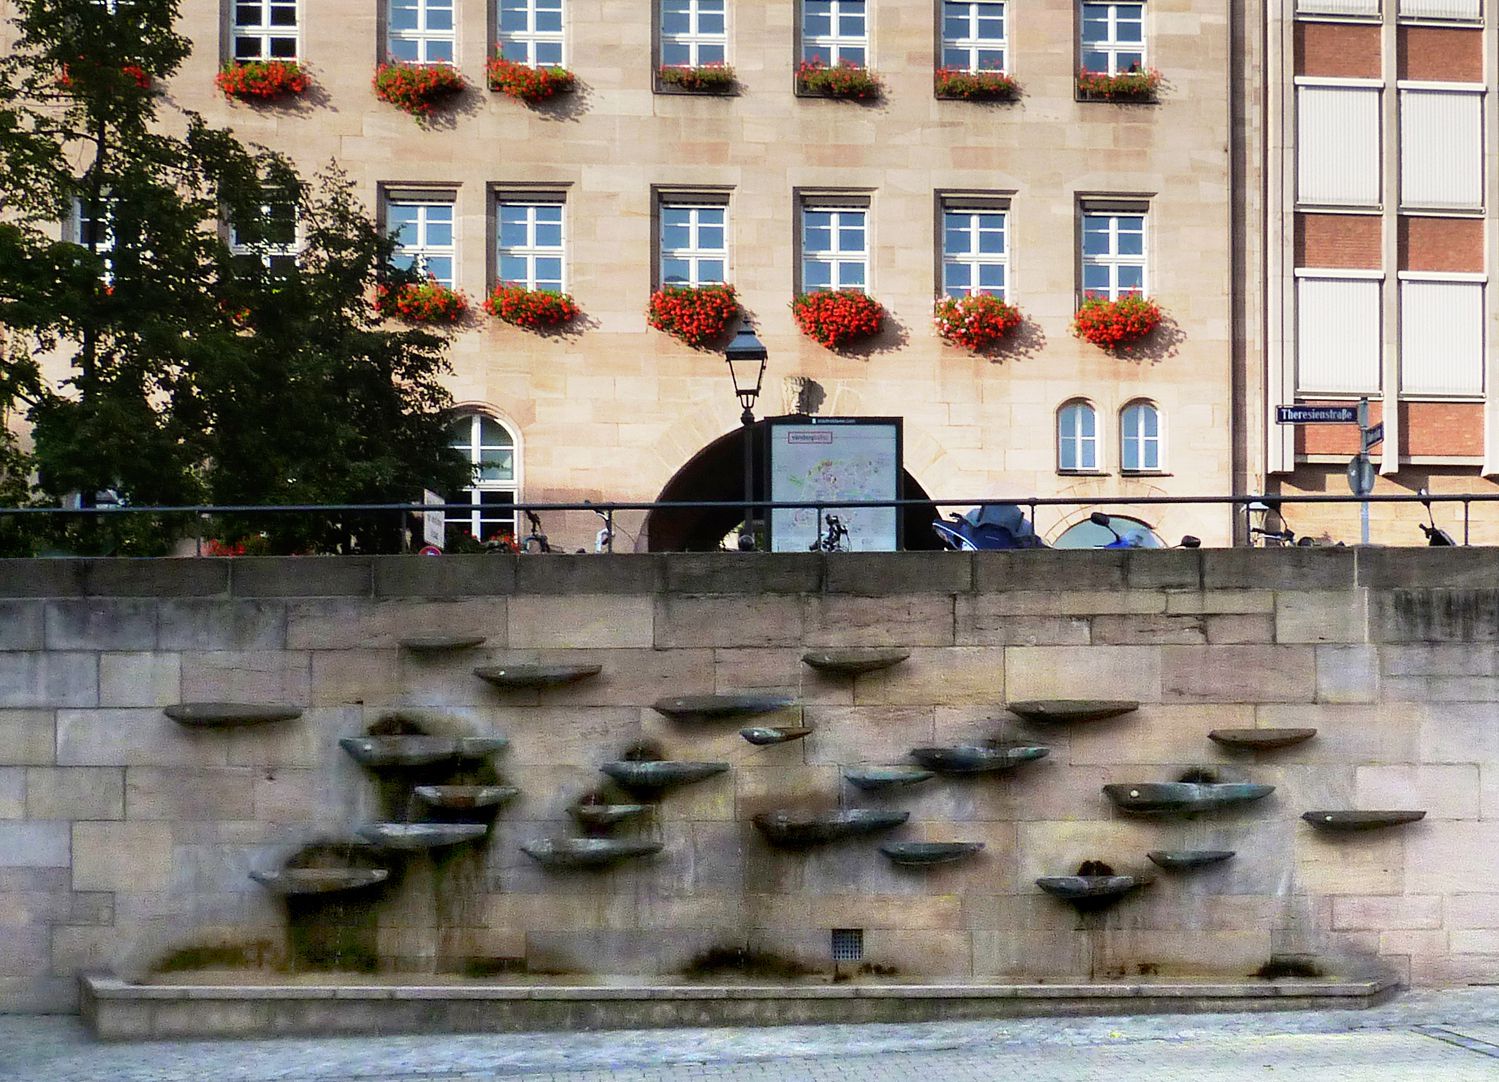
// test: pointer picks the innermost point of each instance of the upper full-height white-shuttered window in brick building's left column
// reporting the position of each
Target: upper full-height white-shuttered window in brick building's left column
(1338, 146)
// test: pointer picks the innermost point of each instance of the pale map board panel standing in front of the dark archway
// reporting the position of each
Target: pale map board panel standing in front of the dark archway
(836, 459)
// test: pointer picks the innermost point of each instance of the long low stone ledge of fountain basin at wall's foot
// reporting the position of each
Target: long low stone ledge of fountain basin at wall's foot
(121, 1011)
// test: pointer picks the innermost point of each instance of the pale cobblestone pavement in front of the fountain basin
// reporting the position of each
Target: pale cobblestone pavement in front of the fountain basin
(1449, 1036)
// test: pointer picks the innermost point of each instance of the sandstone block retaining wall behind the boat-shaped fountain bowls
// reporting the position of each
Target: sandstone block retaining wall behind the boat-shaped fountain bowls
(128, 840)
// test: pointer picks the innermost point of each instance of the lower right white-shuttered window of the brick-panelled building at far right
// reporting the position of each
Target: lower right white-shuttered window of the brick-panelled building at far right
(1443, 338)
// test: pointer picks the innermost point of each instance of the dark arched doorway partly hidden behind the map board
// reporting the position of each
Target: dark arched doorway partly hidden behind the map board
(717, 473)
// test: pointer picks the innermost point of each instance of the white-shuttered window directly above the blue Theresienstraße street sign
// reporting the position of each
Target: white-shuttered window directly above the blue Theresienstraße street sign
(1338, 335)
